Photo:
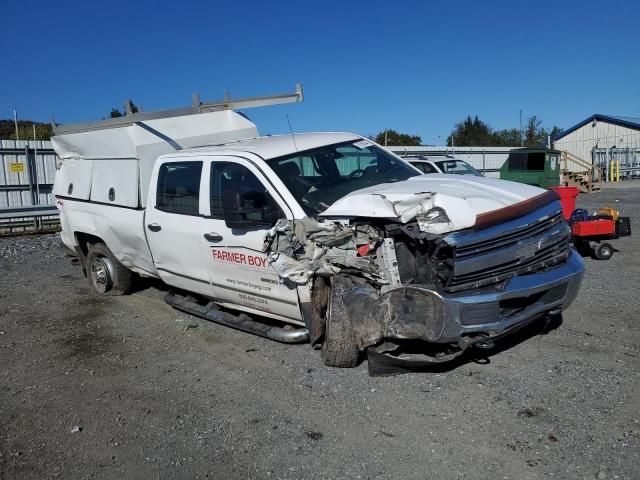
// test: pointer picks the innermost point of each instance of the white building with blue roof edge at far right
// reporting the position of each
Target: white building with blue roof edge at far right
(599, 132)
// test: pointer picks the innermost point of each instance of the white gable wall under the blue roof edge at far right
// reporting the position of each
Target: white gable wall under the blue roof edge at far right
(600, 134)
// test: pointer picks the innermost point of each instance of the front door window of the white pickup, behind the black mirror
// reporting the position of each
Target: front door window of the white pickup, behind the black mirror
(228, 178)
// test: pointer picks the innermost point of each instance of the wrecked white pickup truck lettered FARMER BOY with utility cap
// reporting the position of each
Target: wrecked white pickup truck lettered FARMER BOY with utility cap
(320, 237)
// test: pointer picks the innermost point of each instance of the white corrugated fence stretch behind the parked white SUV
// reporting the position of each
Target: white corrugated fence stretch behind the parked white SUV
(487, 159)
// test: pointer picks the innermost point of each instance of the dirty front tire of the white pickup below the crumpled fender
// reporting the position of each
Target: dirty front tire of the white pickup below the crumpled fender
(339, 348)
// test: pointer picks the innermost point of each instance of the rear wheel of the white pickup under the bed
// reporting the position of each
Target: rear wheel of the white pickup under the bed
(106, 274)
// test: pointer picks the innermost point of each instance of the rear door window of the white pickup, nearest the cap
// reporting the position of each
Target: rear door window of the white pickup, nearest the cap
(179, 188)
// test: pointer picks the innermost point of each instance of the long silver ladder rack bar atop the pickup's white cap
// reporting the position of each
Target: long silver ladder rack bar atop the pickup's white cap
(196, 107)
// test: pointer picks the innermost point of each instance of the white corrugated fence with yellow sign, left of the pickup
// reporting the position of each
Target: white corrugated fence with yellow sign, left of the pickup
(33, 184)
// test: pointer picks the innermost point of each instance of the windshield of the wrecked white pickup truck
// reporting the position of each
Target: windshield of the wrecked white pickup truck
(319, 177)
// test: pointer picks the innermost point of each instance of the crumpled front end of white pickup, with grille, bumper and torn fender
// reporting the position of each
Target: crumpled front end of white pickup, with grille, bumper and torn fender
(419, 276)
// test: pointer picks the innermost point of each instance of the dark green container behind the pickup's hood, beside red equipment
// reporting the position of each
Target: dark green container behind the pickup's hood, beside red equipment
(533, 166)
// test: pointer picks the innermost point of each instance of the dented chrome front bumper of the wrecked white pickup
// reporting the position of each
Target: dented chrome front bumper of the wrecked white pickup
(488, 313)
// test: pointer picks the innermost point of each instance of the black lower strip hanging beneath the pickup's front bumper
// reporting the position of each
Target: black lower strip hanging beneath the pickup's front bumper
(406, 359)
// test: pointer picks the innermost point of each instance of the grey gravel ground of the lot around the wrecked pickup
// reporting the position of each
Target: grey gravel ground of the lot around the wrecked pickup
(126, 387)
